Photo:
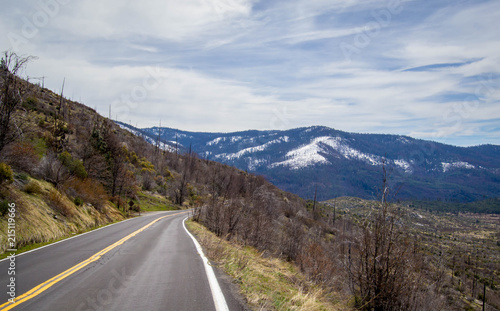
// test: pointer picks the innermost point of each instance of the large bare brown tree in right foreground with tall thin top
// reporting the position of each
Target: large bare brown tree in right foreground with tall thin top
(384, 272)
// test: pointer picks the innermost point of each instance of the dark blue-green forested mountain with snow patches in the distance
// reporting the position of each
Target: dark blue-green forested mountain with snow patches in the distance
(338, 163)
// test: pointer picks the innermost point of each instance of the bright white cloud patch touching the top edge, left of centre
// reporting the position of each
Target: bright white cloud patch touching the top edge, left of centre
(168, 20)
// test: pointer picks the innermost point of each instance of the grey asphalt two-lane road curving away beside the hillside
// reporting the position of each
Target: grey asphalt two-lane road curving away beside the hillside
(158, 268)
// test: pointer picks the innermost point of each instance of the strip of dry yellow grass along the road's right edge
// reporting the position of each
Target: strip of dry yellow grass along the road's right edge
(267, 283)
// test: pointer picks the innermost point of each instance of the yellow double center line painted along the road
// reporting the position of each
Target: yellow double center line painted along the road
(47, 284)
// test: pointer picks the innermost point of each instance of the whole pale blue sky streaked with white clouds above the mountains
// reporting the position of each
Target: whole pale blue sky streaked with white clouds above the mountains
(427, 69)
